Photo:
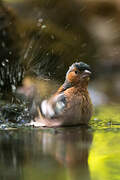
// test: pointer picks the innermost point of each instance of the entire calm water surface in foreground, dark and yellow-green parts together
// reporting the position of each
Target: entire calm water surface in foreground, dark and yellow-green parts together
(70, 153)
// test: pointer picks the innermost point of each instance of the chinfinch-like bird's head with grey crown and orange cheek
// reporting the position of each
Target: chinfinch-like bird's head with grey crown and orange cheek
(78, 74)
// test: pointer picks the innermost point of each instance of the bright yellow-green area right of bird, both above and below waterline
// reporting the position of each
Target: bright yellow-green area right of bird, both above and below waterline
(104, 156)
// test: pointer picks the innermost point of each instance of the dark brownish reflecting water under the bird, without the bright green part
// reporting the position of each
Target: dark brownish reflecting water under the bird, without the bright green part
(45, 153)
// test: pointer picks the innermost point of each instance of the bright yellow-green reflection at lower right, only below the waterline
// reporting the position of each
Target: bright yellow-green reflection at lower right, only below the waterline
(104, 156)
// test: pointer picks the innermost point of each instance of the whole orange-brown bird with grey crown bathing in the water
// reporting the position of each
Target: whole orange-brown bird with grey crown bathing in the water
(71, 104)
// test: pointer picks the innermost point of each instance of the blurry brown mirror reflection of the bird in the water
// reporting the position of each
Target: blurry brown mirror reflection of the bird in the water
(70, 147)
